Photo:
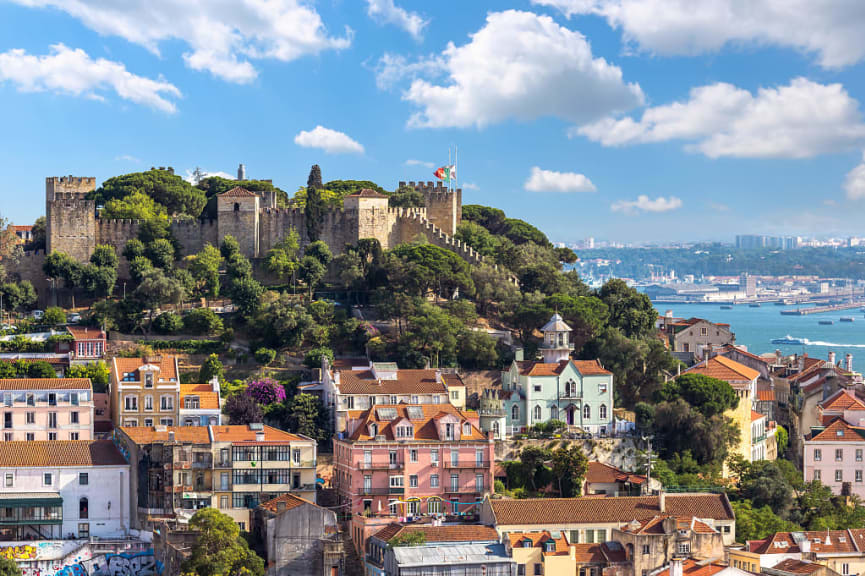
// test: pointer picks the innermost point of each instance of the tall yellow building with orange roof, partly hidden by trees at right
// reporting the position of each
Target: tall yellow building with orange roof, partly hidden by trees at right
(743, 380)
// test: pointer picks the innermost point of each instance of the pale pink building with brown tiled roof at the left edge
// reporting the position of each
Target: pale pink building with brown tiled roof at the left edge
(47, 409)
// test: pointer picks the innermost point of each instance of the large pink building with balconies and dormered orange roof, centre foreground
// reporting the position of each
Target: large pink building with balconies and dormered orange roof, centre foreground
(409, 460)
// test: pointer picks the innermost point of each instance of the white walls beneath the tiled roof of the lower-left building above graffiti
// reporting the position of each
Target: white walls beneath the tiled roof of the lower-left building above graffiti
(93, 505)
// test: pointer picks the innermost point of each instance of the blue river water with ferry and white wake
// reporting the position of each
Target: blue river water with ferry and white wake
(755, 327)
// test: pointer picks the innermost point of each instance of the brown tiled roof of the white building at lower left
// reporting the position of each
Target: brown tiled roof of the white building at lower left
(60, 453)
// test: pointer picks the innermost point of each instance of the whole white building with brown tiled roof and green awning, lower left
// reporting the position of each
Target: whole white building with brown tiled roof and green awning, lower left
(65, 488)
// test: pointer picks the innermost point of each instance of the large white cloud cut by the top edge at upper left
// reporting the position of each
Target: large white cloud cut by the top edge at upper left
(223, 36)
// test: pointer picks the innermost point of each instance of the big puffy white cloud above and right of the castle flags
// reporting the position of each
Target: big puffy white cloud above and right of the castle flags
(519, 66)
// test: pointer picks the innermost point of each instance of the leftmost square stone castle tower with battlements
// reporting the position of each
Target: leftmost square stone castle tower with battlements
(70, 218)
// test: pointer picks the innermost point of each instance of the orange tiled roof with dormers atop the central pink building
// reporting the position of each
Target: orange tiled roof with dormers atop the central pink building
(424, 428)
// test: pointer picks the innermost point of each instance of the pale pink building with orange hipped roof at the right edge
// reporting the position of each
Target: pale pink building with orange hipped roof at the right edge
(834, 456)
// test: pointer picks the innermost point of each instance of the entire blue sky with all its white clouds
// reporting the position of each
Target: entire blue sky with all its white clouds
(654, 120)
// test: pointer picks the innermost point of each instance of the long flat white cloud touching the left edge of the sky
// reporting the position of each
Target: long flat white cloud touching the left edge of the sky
(73, 71)
